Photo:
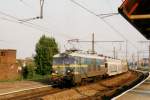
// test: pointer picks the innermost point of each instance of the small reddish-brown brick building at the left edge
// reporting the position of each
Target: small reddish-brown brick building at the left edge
(8, 66)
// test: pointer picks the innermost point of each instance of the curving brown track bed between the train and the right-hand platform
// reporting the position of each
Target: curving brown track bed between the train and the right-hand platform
(104, 89)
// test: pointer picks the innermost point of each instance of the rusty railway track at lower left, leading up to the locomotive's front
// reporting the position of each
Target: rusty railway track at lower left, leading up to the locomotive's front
(30, 94)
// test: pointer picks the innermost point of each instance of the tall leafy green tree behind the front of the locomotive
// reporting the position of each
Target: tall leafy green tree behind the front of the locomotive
(45, 49)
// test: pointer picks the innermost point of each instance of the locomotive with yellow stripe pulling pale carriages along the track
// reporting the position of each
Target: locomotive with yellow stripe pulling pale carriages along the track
(76, 67)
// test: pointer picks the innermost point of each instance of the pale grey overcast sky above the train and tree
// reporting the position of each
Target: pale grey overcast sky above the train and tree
(63, 20)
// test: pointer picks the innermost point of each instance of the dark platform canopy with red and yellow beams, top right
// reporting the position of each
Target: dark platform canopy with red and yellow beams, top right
(137, 12)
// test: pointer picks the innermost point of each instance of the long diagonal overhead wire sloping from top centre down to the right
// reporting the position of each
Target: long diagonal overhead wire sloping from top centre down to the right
(111, 26)
